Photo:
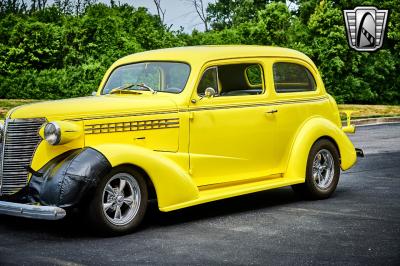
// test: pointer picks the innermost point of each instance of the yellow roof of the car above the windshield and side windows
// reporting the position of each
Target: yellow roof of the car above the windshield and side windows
(202, 54)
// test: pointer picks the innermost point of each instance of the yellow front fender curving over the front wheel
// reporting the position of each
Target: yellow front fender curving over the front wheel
(172, 184)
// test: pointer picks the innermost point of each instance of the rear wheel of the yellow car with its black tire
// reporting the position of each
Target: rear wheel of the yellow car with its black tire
(312, 189)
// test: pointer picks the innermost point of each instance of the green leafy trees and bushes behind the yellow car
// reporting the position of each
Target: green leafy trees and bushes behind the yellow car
(58, 49)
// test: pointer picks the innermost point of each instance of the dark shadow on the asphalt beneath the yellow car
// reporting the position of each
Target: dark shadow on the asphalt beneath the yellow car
(75, 226)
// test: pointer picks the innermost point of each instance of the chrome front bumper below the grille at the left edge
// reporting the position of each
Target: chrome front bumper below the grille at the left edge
(31, 211)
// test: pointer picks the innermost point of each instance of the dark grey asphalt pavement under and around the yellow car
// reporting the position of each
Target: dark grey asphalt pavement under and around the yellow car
(358, 225)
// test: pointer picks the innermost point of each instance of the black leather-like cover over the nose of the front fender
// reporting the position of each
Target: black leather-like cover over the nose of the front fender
(64, 180)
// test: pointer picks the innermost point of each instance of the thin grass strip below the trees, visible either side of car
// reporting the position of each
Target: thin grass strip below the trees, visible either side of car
(360, 111)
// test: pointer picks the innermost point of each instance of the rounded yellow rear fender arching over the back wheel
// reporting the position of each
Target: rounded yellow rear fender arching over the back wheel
(311, 131)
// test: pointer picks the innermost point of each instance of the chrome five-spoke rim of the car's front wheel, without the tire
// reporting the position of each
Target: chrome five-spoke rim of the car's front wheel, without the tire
(121, 199)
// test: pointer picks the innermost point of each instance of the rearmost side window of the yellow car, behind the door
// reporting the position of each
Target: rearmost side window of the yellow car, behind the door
(291, 77)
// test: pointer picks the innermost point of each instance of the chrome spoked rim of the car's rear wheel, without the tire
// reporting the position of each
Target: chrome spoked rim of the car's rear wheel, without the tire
(323, 169)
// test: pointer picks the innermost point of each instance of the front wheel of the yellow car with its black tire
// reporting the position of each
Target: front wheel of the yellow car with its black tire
(102, 220)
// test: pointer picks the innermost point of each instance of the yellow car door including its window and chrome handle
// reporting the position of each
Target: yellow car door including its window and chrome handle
(232, 133)
